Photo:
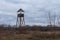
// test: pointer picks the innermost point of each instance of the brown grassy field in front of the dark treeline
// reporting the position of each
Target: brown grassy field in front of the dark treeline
(23, 34)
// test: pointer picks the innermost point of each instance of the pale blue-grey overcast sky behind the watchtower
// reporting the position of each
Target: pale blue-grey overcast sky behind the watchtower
(36, 11)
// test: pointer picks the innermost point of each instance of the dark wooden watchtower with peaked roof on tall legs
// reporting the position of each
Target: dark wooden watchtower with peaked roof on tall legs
(20, 18)
